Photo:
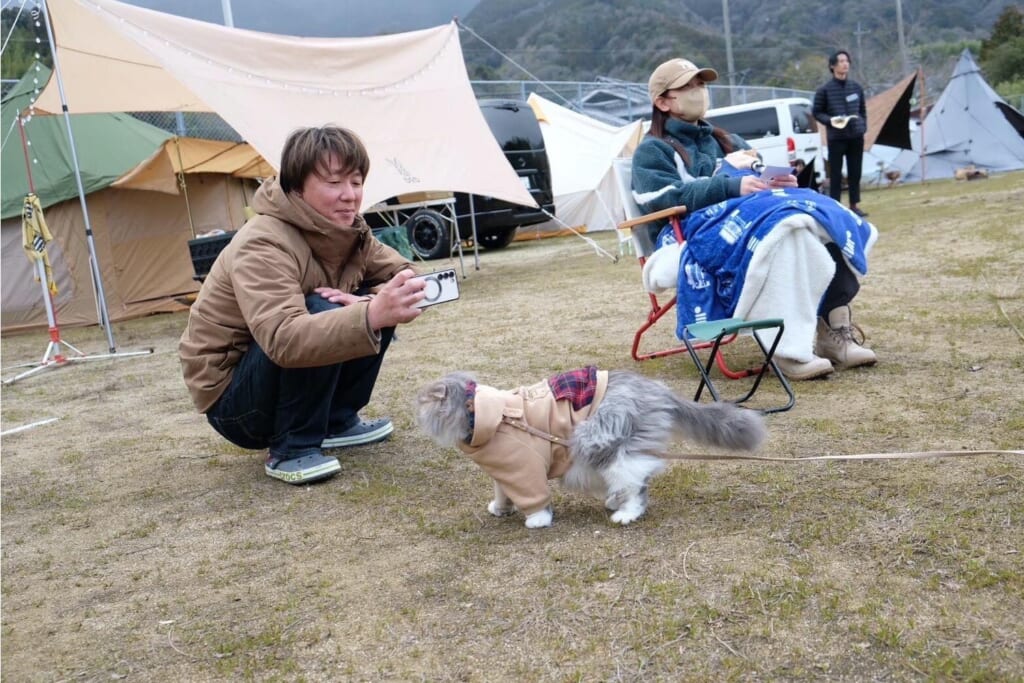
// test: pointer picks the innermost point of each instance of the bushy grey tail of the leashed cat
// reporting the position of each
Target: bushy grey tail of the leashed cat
(722, 424)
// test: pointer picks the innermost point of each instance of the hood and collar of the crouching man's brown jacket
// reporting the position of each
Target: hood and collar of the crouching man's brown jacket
(332, 244)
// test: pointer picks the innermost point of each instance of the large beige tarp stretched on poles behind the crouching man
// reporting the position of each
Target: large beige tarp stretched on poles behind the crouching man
(408, 96)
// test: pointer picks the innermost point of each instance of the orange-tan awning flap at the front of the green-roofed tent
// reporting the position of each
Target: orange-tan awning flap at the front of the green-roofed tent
(192, 155)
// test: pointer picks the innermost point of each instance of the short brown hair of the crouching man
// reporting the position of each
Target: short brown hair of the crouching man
(308, 151)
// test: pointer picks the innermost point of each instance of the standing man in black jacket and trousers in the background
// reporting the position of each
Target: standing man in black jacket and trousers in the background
(840, 106)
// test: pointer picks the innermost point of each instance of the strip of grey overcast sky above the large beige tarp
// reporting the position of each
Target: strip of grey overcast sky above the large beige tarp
(320, 18)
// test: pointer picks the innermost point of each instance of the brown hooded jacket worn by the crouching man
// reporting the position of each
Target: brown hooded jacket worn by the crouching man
(258, 288)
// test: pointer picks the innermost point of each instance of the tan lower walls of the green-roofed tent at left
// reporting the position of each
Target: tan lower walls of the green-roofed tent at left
(142, 241)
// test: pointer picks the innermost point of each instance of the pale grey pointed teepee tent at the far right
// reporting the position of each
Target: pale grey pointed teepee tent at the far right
(969, 125)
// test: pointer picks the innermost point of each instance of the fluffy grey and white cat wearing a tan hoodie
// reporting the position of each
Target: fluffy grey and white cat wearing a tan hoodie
(599, 432)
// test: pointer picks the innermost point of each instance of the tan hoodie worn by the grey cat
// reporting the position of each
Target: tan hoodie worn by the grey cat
(521, 462)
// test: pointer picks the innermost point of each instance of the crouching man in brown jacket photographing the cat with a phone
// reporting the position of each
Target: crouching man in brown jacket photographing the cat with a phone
(284, 341)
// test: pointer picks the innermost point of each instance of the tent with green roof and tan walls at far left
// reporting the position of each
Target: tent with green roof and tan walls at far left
(141, 235)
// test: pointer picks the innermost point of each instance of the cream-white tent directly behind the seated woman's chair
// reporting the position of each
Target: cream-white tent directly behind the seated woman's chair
(581, 151)
